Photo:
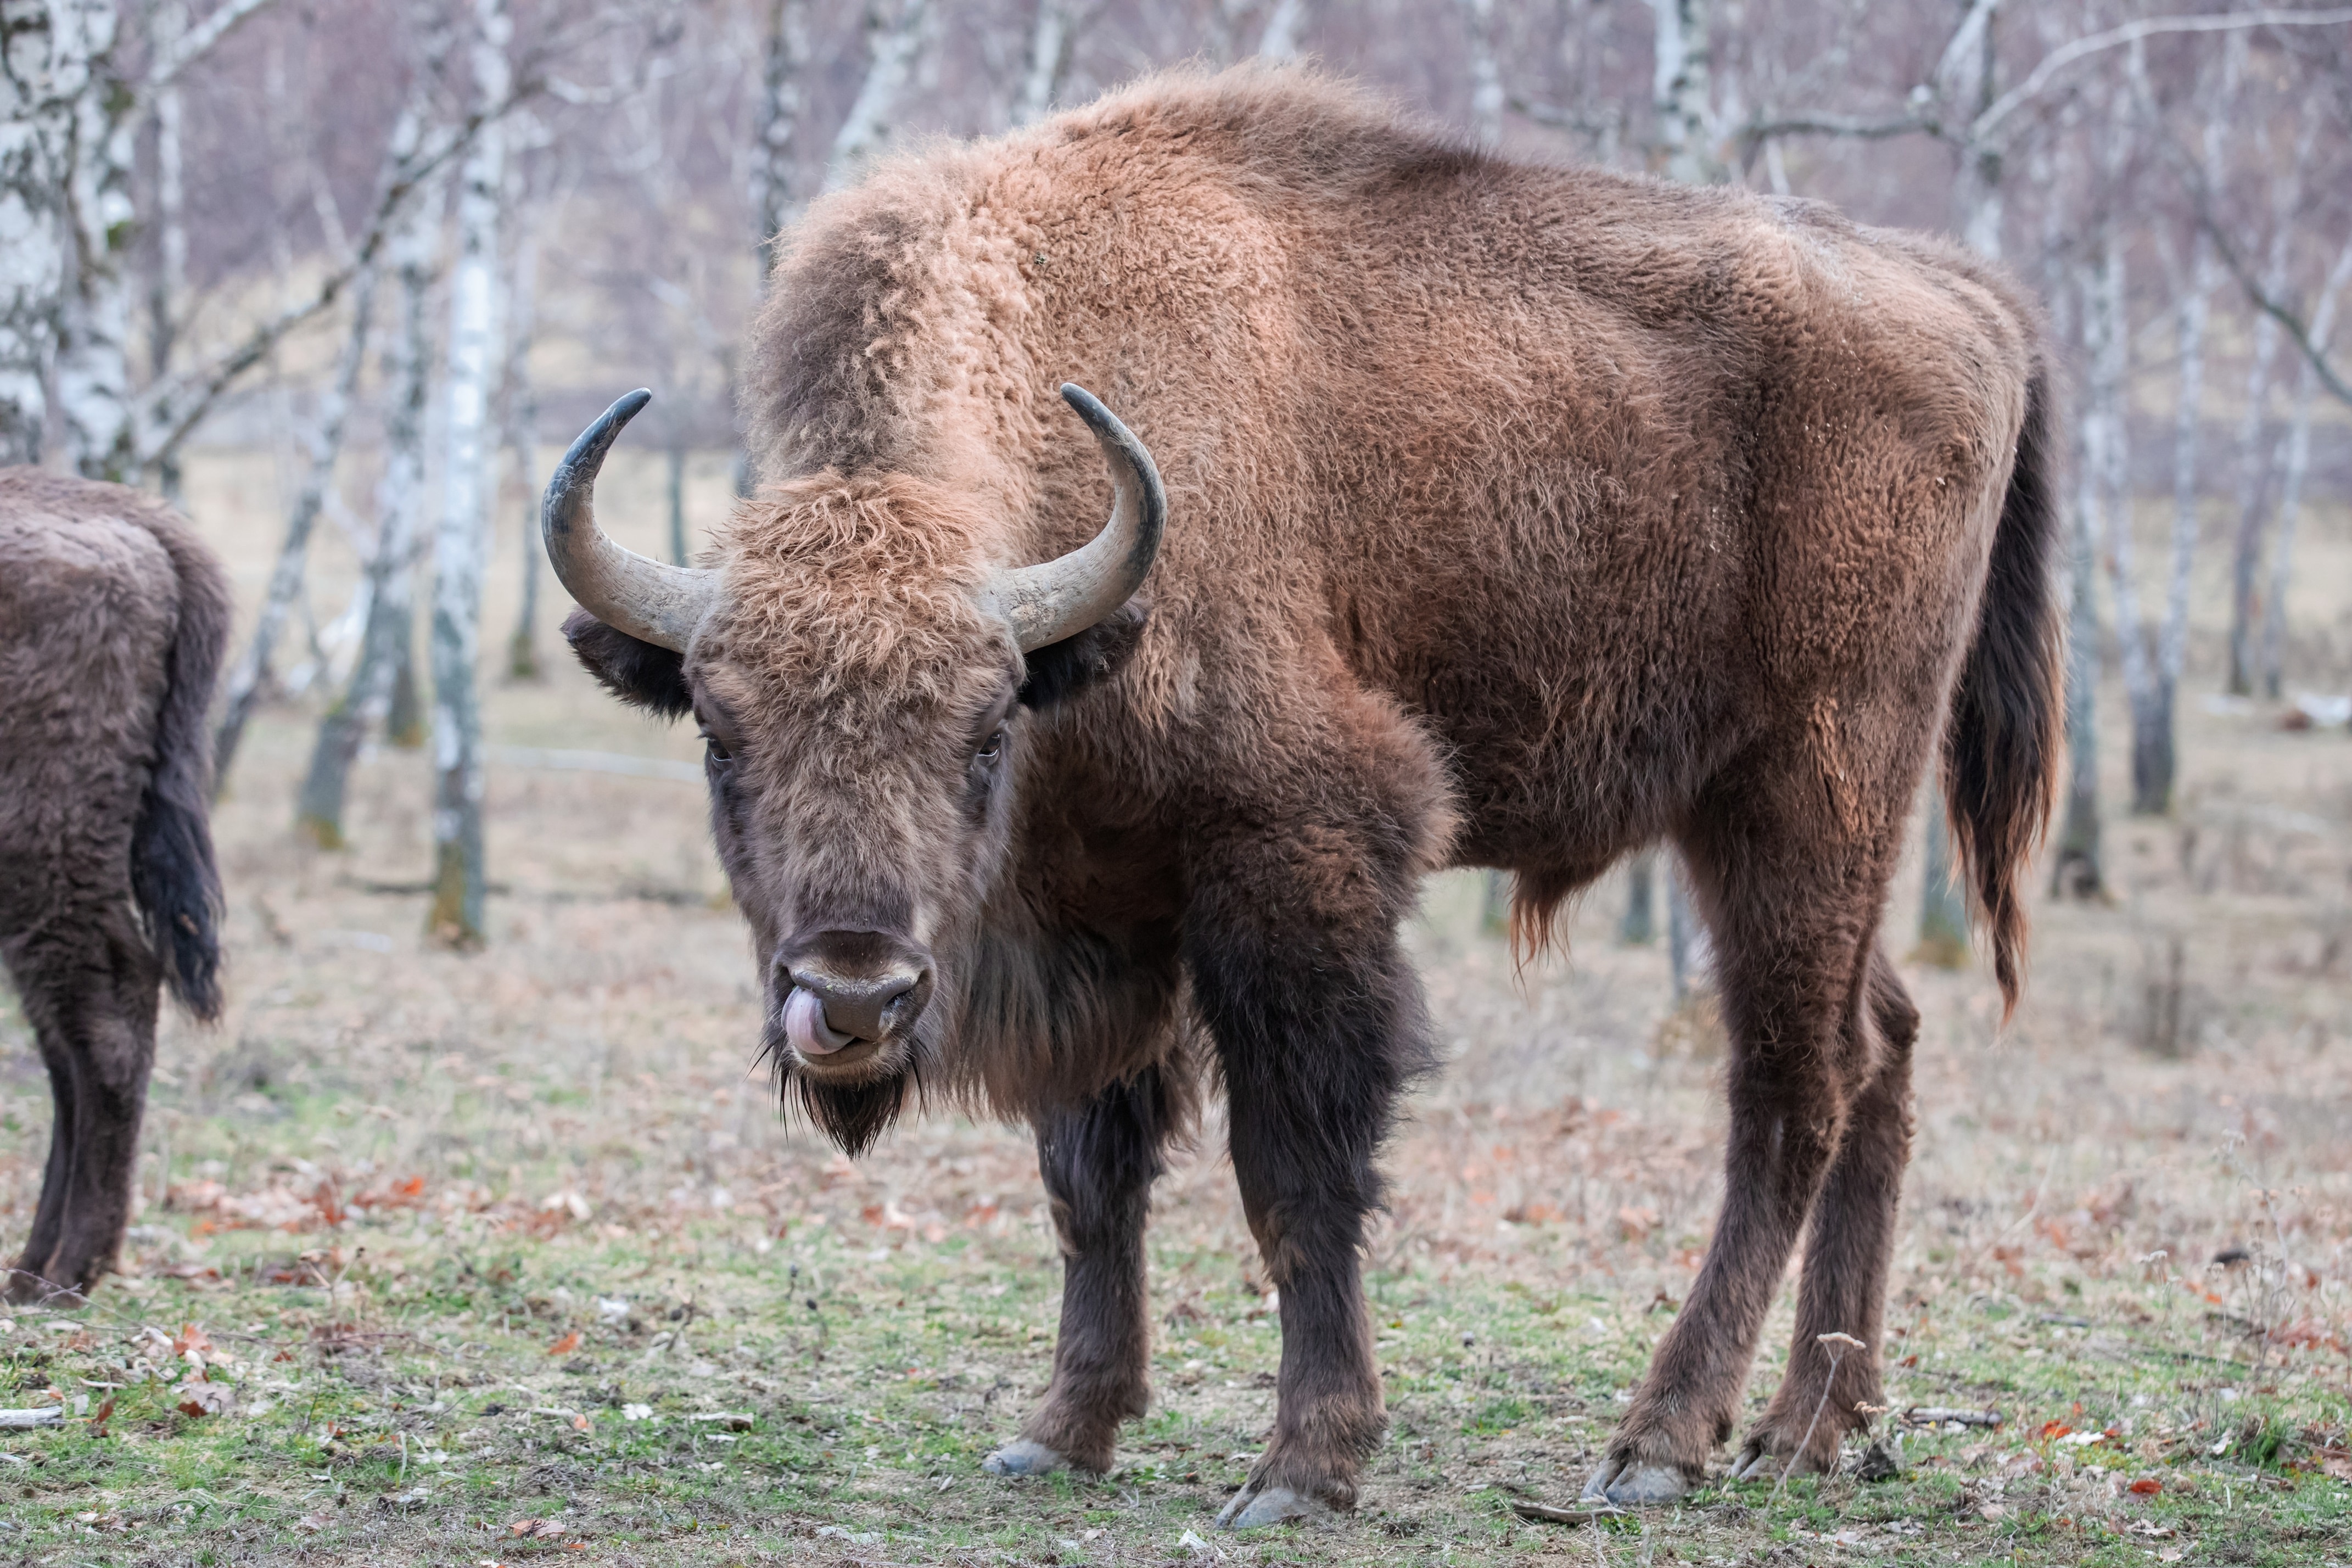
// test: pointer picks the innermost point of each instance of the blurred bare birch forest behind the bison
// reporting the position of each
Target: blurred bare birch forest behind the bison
(408, 246)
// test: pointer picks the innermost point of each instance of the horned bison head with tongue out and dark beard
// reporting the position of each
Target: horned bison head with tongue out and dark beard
(857, 674)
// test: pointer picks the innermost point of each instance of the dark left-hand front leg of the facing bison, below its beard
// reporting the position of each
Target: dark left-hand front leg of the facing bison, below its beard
(1100, 1165)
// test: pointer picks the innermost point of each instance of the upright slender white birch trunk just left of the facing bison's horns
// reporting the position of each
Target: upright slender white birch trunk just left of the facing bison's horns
(460, 544)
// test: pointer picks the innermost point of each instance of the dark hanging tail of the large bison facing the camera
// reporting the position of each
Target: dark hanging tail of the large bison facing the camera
(2007, 732)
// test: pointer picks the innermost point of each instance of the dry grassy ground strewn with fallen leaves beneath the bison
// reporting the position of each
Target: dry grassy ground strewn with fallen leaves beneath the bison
(507, 1257)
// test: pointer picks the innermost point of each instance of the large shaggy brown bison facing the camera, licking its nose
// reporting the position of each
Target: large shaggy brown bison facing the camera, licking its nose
(1516, 518)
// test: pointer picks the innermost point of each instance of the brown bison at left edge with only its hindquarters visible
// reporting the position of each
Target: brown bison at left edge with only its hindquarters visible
(112, 629)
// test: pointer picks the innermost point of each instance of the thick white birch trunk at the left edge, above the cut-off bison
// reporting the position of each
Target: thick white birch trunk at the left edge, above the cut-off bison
(36, 100)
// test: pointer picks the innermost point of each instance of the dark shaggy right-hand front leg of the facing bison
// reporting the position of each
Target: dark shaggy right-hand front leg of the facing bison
(1316, 1045)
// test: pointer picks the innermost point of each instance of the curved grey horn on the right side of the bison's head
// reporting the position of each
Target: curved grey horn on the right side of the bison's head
(1071, 594)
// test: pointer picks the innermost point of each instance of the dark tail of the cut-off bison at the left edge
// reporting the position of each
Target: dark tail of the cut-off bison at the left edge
(173, 871)
